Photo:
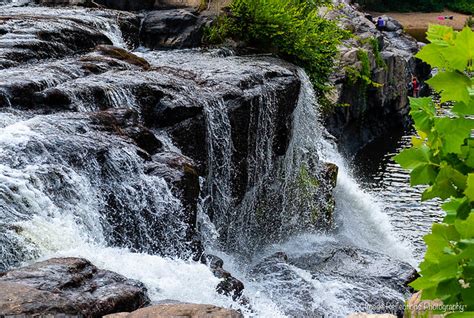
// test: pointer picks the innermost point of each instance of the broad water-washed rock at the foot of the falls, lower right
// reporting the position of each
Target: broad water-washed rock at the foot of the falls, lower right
(374, 283)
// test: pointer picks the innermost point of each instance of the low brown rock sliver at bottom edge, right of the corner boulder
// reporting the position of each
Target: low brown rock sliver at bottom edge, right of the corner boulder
(180, 310)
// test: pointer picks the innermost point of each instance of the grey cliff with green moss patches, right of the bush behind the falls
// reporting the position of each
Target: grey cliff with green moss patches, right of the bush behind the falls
(372, 108)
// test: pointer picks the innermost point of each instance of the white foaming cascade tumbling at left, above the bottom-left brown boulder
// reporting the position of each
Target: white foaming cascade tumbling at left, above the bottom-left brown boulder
(72, 184)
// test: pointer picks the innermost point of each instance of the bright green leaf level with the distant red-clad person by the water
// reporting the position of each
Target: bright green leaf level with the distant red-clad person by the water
(452, 85)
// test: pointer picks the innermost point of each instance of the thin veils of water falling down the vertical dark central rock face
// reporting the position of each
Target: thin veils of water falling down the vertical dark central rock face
(284, 192)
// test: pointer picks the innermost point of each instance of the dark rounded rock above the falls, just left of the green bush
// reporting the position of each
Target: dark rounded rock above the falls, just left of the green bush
(170, 29)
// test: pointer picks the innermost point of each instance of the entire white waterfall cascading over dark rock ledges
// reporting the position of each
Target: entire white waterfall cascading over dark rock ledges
(72, 186)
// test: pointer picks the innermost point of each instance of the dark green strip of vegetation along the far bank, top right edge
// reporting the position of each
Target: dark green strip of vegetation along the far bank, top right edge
(463, 6)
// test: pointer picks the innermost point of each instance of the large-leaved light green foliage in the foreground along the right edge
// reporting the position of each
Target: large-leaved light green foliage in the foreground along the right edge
(442, 157)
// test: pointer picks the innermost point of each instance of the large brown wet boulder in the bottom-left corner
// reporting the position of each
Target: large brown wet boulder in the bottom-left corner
(70, 286)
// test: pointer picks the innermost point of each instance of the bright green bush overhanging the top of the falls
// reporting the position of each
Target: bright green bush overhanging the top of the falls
(292, 29)
